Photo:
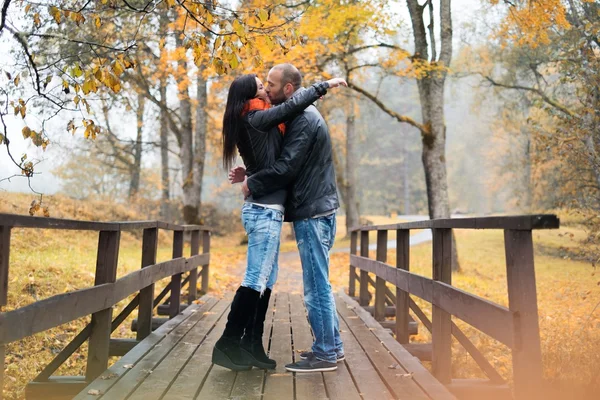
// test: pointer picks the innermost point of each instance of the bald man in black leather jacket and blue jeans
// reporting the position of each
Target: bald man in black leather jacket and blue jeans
(305, 167)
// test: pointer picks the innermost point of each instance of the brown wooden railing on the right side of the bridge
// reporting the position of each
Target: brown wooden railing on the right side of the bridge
(516, 326)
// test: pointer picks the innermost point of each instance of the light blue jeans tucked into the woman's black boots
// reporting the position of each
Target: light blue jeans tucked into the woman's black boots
(263, 227)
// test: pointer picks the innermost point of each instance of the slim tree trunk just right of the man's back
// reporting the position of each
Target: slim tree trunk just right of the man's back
(351, 200)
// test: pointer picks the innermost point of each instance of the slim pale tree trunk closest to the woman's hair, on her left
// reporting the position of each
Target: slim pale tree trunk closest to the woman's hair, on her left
(200, 138)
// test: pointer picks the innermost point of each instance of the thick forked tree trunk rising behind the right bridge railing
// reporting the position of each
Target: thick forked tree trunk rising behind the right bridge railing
(431, 93)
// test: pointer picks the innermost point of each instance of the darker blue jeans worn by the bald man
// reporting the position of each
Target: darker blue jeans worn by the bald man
(315, 237)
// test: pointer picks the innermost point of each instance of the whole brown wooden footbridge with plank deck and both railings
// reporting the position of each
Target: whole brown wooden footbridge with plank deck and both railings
(170, 358)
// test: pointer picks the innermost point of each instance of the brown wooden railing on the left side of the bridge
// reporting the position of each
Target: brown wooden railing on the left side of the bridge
(99, 300)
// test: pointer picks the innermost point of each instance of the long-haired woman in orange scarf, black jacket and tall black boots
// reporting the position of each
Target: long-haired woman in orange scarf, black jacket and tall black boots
(256, 130)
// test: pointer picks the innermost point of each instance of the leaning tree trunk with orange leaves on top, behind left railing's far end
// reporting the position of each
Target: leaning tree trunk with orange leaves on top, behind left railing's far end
(190, 205)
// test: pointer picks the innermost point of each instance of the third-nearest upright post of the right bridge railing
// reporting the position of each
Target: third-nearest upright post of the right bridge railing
(402, 297)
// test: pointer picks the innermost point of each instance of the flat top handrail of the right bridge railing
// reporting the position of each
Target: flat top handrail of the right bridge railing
(517, 222)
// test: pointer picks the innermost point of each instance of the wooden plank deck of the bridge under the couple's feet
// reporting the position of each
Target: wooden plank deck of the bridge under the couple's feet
(174, 362)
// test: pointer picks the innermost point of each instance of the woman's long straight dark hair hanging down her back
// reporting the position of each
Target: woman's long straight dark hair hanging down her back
(242, 89)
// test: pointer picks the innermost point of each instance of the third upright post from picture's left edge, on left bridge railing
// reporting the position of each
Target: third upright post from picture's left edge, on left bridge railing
(149, 249)
